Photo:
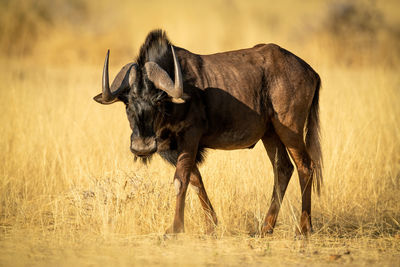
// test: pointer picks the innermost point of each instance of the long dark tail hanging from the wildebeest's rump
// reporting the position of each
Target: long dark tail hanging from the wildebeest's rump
(313, 141)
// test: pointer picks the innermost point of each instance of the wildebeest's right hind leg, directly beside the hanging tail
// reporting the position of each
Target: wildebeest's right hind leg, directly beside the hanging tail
(294, 143)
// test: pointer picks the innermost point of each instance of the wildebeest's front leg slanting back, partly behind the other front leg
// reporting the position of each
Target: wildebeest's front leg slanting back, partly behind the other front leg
(197, 183)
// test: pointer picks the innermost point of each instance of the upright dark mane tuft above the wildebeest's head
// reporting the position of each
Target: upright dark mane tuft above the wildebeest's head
(155, 48)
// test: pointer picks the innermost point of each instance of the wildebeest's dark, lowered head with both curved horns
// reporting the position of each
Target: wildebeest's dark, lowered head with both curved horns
(147, 91)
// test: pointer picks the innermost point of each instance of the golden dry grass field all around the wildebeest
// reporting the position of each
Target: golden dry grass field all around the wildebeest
(71, 194)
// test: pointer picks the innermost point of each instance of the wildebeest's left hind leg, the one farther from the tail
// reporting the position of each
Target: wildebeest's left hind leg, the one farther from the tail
(283, 170)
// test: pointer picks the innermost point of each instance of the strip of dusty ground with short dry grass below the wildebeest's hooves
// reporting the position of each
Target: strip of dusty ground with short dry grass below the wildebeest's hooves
(200, 250)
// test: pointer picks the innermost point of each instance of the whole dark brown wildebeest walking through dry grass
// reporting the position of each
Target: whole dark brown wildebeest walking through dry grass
(228, 100)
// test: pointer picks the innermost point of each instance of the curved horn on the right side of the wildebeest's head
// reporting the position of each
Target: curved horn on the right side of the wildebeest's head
(163, 81)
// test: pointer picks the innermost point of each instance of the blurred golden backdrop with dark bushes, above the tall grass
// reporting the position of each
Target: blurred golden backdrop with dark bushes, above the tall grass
(79, 31)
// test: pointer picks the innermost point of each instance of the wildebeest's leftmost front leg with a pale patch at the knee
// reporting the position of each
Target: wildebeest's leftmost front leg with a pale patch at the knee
(184, 166)
